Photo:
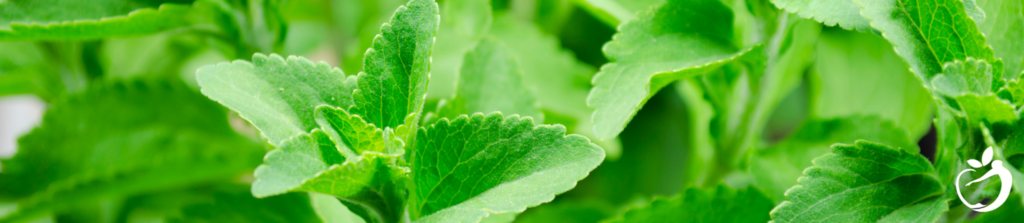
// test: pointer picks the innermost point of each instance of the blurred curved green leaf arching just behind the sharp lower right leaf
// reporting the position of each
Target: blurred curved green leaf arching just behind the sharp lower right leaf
(778, 168)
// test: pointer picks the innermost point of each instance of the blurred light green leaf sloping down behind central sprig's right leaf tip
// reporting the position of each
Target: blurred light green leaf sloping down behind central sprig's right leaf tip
(557, 78)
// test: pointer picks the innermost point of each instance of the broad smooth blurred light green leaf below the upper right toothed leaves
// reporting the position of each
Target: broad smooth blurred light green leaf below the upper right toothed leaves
(841, 84)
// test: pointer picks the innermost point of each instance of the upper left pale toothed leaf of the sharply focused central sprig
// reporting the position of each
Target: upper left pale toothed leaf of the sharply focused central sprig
(277, 96)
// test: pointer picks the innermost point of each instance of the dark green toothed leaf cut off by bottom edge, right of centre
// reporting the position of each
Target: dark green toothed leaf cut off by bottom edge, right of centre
(717, 205)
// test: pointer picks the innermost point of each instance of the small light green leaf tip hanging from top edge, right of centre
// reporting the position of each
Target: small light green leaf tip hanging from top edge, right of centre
(615, 13)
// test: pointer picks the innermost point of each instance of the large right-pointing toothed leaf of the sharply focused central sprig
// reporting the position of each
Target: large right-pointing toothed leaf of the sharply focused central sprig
(466, 169)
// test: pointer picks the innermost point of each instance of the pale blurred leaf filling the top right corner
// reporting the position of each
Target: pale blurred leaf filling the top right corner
(1004, 29)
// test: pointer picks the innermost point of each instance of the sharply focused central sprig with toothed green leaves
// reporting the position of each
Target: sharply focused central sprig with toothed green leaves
(358, 138)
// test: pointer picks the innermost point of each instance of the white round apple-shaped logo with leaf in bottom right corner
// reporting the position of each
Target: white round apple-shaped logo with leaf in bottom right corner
(998, 170)
